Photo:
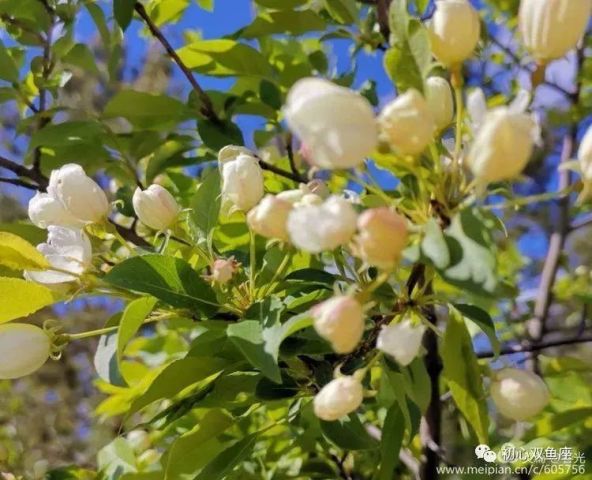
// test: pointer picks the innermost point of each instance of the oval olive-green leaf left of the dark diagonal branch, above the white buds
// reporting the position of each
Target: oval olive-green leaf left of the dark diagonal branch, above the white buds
(145, 110)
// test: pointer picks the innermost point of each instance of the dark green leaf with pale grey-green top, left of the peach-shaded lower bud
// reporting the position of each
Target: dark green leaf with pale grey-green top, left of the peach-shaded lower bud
(248, 338)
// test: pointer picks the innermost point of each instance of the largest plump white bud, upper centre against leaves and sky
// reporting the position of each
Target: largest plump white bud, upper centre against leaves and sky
(336, 124)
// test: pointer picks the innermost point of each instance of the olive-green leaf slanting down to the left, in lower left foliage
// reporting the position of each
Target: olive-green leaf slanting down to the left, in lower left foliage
(177, 376)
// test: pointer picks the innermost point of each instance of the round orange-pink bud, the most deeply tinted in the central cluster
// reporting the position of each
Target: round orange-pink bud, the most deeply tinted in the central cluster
(382, 237)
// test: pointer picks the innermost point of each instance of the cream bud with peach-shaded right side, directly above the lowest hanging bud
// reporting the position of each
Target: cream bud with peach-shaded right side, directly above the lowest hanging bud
(340, 321)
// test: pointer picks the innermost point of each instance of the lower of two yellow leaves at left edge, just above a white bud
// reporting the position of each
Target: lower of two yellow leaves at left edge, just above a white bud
(19, 298)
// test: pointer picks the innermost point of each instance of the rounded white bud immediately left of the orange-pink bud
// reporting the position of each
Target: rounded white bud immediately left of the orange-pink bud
(315, 228)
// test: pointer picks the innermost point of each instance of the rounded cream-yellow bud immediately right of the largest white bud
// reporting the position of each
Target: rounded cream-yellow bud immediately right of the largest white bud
(407, 123)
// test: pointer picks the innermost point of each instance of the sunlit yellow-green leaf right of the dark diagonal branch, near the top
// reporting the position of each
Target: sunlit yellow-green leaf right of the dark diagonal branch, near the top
(224, 57)
